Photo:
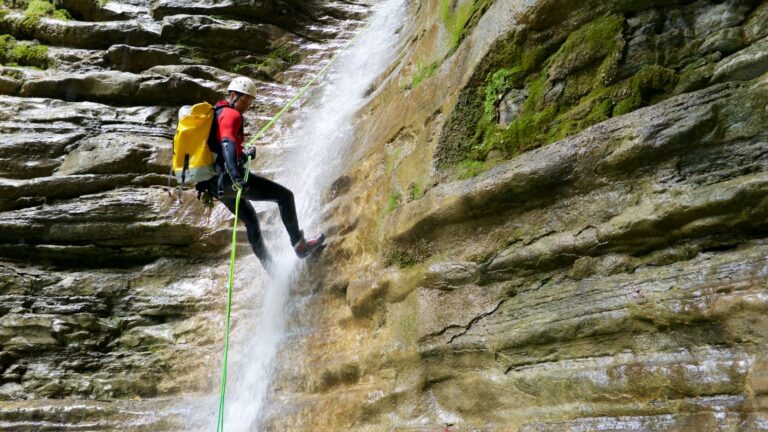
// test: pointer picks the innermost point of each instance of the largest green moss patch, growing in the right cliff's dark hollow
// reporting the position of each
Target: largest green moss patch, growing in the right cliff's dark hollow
(571, 84)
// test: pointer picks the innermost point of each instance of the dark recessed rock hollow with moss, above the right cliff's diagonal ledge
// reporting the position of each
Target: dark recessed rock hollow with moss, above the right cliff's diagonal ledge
(540, 85)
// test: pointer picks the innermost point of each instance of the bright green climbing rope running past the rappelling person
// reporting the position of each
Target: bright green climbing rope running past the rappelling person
(259, 134)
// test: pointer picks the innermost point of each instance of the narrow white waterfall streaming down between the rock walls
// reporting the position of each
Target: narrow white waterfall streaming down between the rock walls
(316, 144)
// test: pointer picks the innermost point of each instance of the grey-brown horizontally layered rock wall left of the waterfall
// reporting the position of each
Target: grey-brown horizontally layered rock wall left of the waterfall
(111, 289)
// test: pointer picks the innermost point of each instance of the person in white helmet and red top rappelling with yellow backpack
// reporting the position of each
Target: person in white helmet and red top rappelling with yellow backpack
(222, 172)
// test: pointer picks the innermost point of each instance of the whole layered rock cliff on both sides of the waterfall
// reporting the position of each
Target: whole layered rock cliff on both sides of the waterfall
(555, 219)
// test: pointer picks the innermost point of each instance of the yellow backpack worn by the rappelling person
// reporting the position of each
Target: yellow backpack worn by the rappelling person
(193, 160)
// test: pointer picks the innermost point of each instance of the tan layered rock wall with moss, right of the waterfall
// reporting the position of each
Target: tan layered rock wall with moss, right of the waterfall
(562, 227)
